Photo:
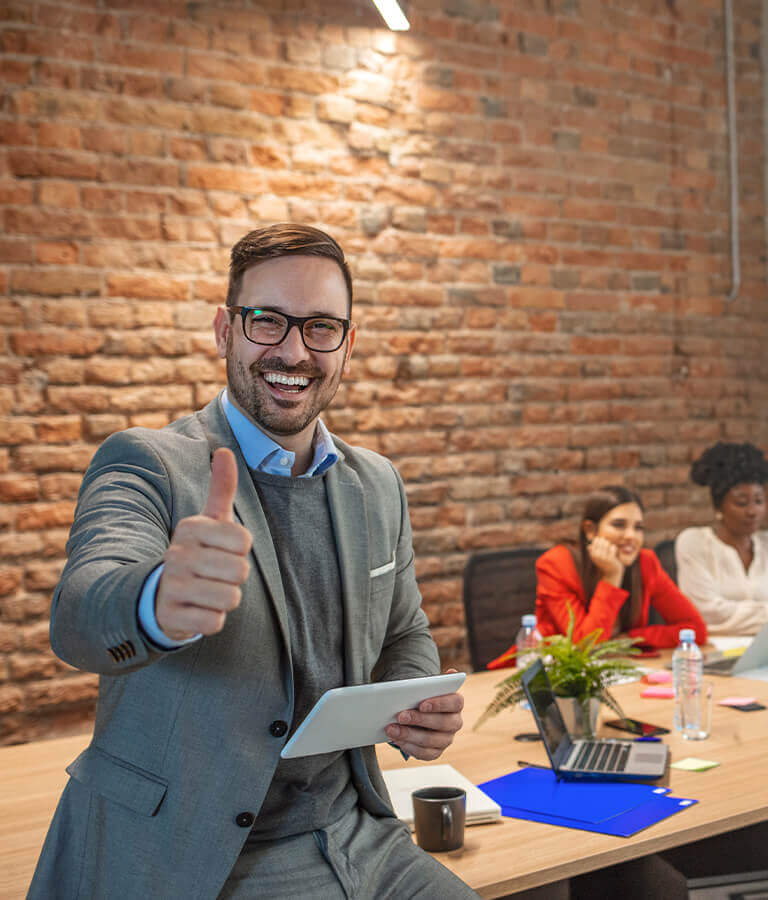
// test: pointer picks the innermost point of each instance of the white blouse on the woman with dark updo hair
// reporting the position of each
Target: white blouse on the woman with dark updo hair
(712, 575)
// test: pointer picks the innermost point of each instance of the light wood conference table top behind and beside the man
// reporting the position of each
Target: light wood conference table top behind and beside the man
(496, 859)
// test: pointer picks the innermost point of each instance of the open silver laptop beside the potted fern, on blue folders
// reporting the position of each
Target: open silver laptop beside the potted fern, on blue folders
(596, 759)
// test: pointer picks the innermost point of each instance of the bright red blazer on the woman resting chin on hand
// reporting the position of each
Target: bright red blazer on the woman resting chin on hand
(559, 585)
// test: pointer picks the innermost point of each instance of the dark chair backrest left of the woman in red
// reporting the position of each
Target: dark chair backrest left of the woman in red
(499, 588)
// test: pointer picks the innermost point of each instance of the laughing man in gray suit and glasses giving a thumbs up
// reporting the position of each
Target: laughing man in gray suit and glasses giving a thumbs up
(222, 573)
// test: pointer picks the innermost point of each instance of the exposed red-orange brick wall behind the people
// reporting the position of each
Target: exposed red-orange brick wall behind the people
(534, 197)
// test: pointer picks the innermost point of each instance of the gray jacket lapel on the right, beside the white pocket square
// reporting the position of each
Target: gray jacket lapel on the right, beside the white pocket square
(349, 520)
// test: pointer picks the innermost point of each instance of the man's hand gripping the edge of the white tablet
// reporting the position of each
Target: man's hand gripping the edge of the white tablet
(426, 731)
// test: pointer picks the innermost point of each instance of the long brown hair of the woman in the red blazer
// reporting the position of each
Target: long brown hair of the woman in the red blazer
(597, 505)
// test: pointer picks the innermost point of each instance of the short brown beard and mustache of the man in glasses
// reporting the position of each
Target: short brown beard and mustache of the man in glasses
(274, 415)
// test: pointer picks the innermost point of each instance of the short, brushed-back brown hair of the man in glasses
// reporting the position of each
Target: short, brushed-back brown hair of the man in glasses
(283, 239)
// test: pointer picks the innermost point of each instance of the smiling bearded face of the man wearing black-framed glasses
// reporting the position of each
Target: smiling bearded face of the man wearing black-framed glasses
(285, 387)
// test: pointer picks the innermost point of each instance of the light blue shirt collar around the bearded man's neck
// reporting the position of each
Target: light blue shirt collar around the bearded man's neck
(265, 455)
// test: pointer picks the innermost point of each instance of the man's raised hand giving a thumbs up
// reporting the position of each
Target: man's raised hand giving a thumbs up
(206, 561)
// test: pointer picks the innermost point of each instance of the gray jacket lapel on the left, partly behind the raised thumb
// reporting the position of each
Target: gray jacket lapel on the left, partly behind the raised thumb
(248, 509)
